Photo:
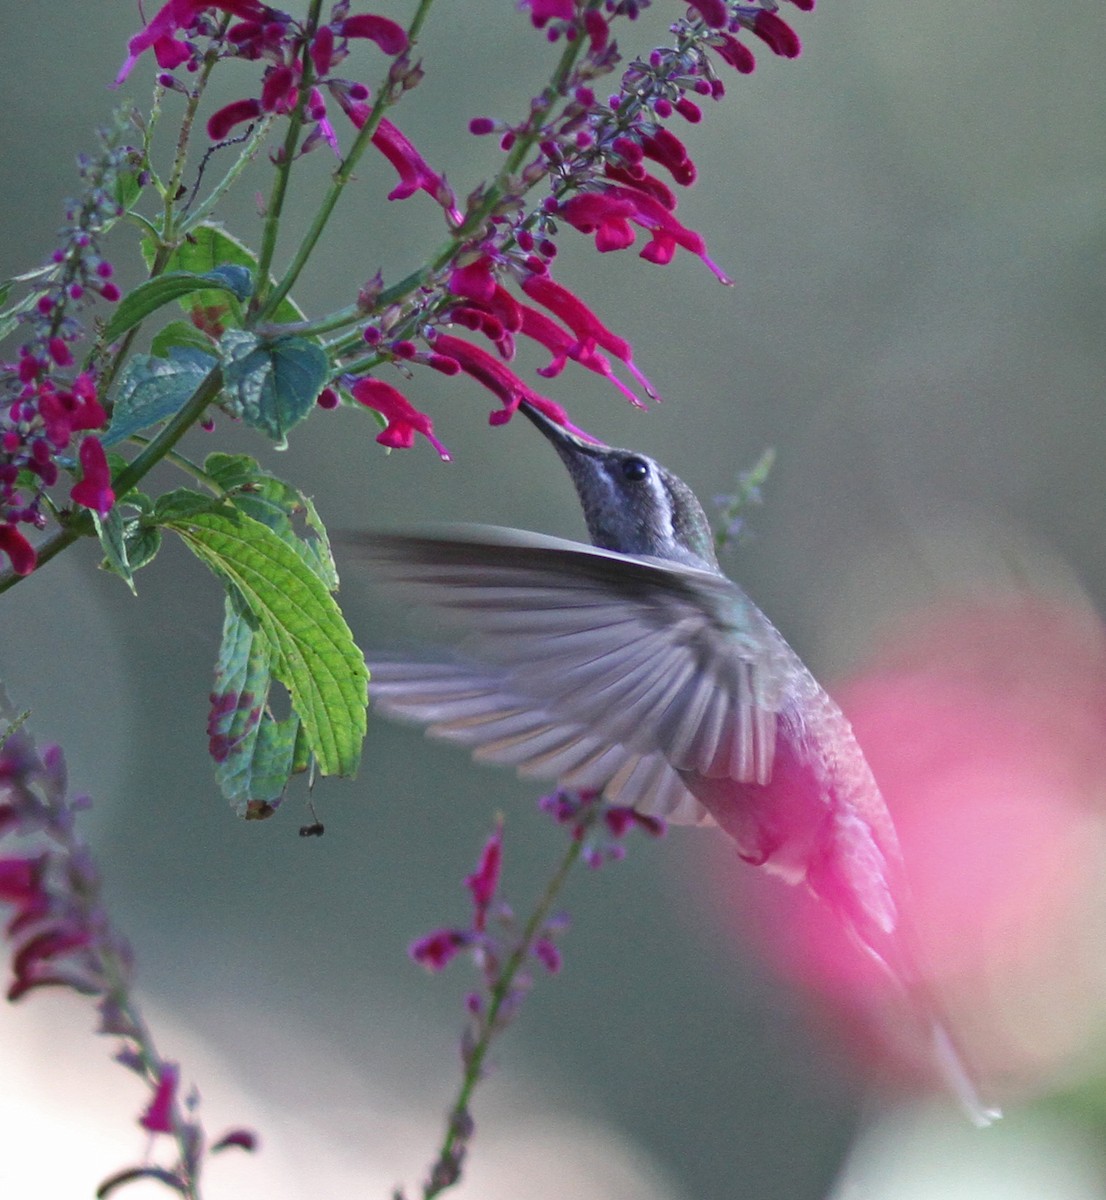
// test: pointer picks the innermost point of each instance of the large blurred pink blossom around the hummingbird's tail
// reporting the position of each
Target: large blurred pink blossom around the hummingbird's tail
(984, 723)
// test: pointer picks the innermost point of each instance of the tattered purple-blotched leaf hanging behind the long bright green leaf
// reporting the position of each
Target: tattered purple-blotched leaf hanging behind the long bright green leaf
(255, 753)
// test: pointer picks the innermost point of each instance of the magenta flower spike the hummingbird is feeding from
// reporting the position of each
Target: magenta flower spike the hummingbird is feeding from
(596, 157)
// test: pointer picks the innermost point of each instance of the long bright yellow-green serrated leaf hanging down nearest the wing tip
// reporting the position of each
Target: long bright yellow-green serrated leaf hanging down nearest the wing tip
(314, 653)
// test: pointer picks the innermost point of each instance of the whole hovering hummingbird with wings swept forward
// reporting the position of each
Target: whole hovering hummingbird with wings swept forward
(635, 668)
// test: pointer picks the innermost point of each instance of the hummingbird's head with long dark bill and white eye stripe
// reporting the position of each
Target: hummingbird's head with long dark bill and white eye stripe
(632, 503)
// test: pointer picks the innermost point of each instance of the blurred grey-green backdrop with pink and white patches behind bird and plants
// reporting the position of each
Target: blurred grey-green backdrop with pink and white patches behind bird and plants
(913, 215)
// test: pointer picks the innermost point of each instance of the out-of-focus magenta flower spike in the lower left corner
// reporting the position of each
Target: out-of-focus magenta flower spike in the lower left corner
(62, 938)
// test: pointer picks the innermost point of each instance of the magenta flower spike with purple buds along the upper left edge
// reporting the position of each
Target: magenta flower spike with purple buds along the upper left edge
(45, 404)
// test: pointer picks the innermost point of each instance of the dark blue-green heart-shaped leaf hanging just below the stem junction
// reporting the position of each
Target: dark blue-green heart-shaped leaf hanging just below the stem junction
(274, 385)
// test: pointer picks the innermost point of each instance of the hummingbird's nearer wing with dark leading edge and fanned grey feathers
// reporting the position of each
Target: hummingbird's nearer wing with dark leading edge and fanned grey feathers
(647, 658)
